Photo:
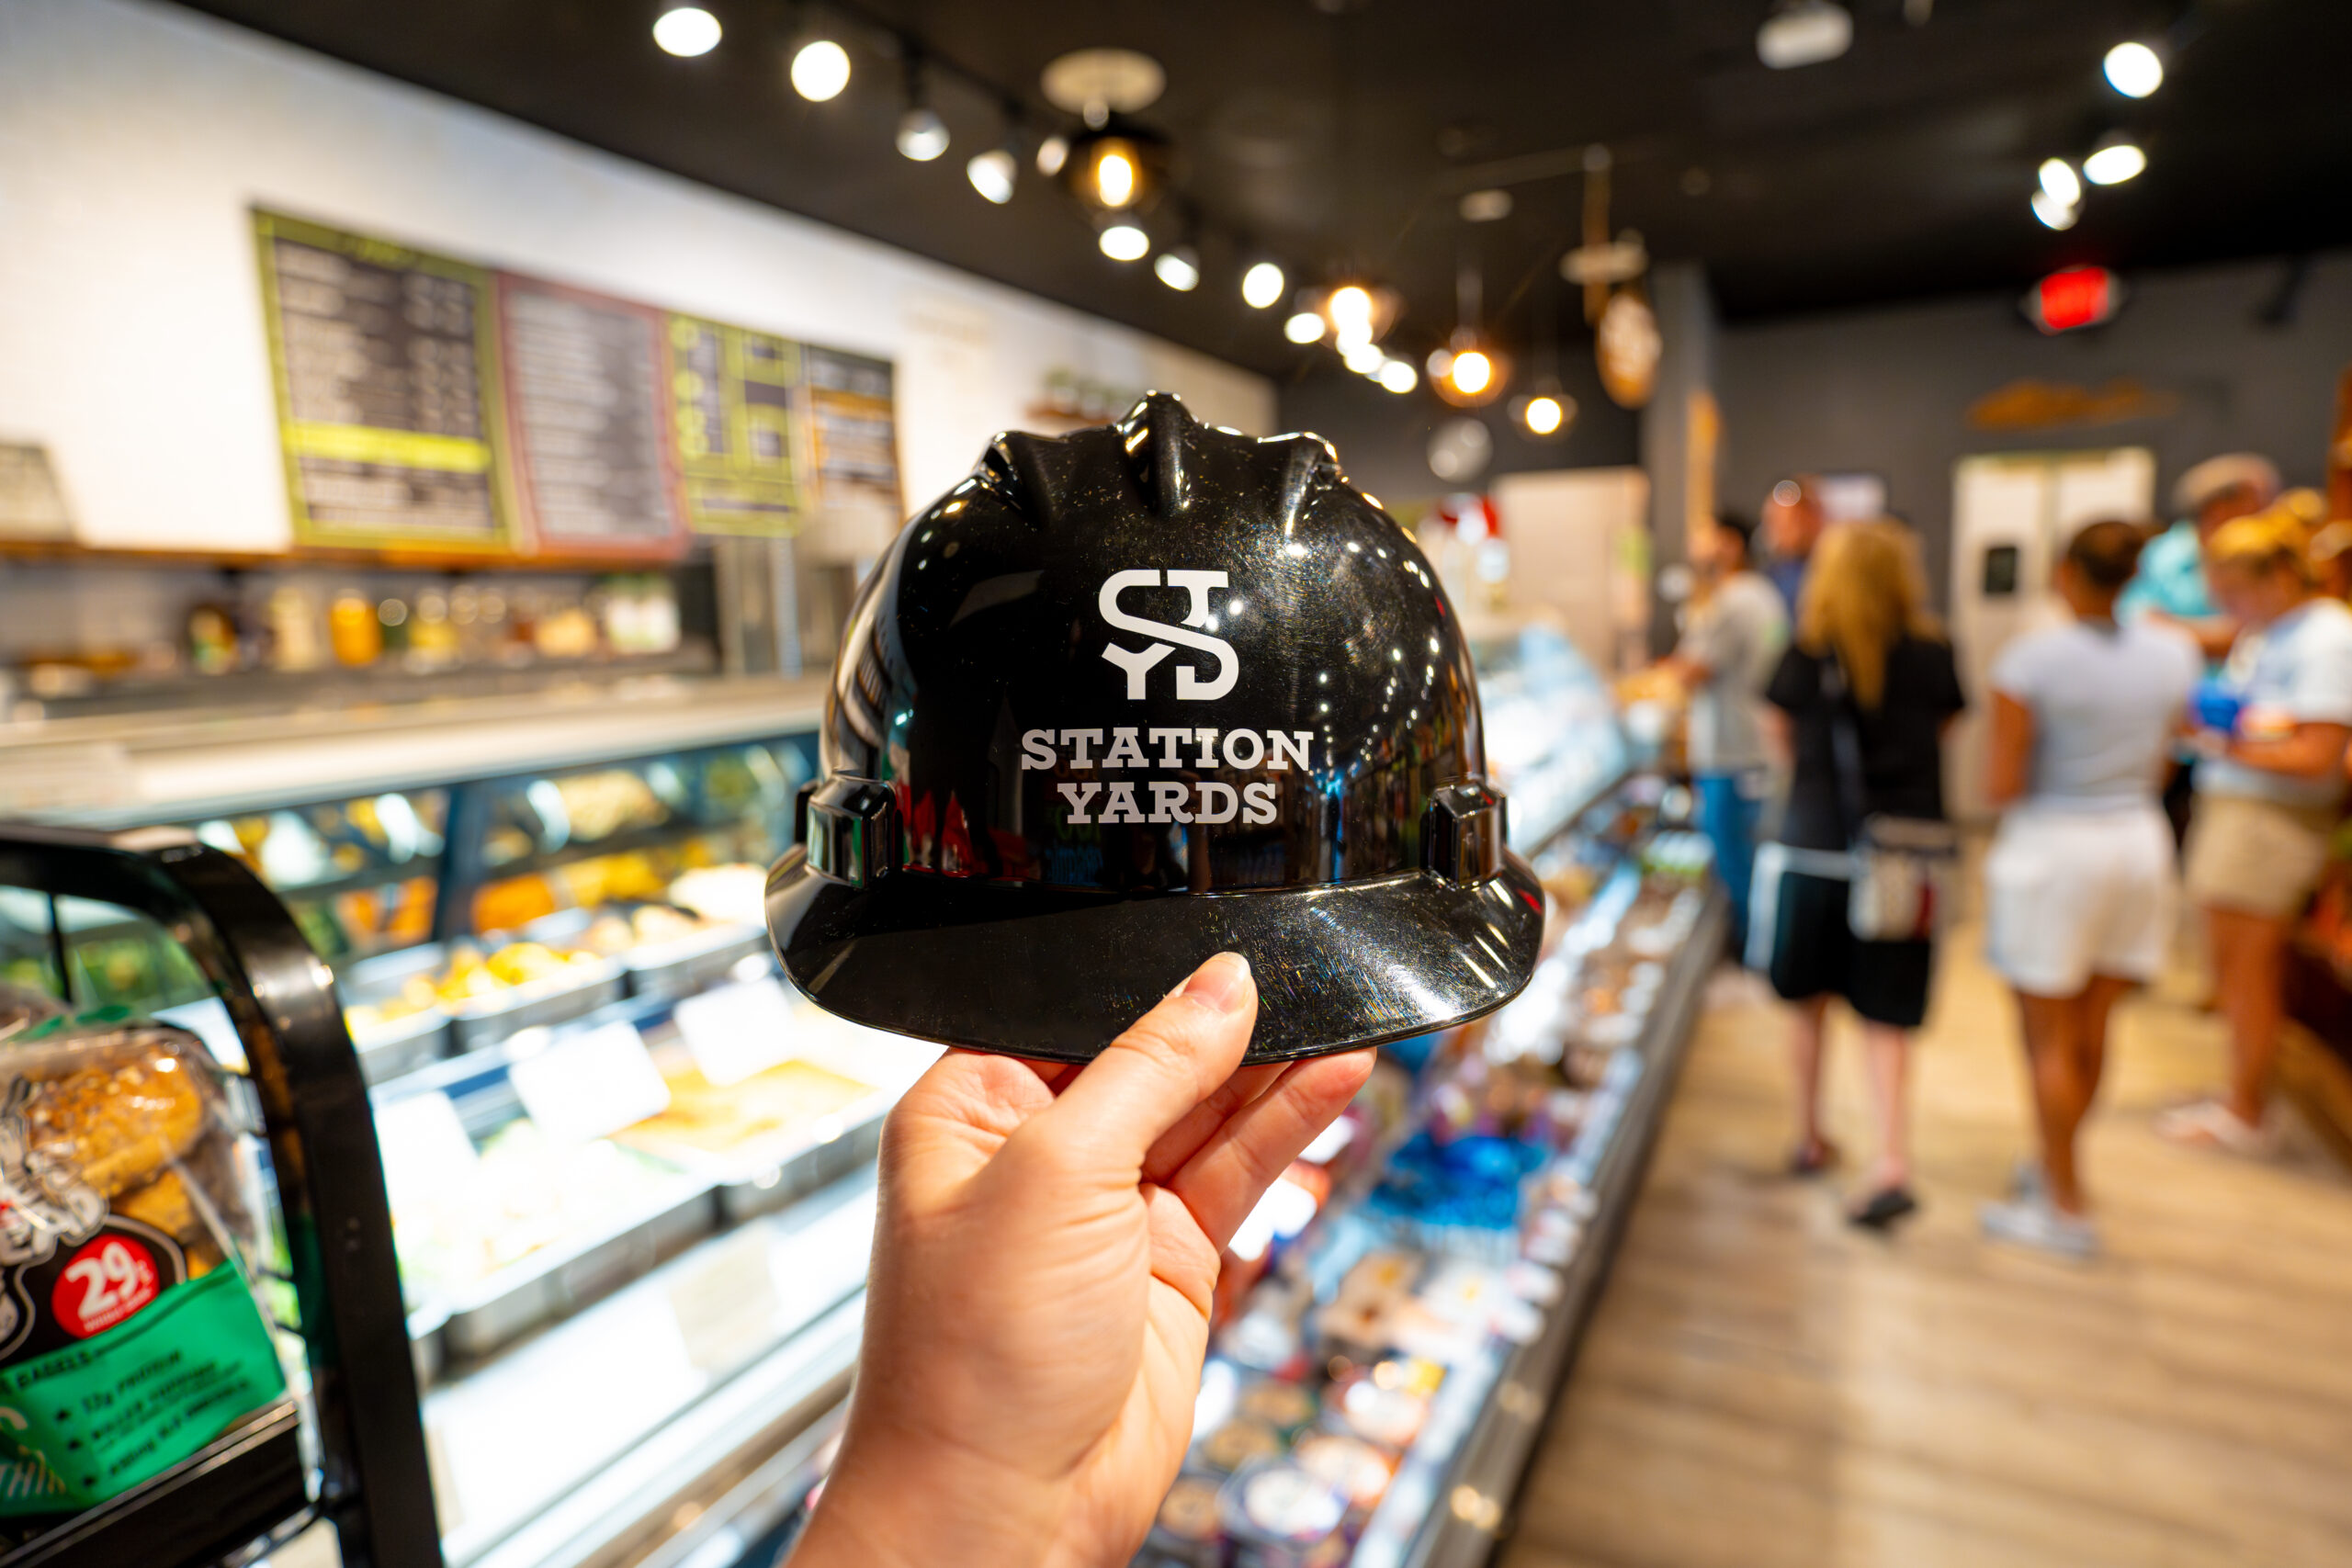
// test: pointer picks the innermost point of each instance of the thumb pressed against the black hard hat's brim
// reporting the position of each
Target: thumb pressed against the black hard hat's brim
(1161, 1068)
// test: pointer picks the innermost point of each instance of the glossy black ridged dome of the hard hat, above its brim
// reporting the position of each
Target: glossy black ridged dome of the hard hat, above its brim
(1241, 676)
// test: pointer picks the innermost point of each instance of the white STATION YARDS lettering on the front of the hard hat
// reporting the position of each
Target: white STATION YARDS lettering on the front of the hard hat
(1172, 800)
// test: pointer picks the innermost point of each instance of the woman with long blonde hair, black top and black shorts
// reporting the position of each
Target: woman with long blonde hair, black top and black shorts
(1864, 699)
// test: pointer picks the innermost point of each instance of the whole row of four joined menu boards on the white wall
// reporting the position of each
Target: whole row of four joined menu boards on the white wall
(434, 403)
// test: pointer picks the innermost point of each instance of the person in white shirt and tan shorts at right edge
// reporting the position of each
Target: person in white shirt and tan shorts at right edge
(2271, 782)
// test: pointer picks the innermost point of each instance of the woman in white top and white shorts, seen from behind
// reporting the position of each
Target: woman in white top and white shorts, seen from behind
(2080, 876)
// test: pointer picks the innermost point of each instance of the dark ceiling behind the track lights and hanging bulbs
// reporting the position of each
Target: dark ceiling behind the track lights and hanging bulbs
(1344, 140)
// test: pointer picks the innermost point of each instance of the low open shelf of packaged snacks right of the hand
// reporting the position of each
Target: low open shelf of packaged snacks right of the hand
(1382, 1369)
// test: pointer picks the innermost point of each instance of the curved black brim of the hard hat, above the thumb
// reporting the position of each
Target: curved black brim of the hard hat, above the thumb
(1057, 974)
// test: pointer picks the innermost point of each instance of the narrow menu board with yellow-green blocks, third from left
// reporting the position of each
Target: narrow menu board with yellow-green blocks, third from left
(733, 398)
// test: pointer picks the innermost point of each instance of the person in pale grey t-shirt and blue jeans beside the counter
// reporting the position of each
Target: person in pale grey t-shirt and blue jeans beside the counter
(1728, 652)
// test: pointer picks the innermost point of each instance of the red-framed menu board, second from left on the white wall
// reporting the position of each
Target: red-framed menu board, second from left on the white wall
(592, 445)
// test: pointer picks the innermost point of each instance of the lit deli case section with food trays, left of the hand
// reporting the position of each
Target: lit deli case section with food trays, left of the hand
(632, 1177)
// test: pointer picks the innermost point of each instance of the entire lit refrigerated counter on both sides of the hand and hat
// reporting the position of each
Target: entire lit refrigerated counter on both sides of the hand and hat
(634, 1264)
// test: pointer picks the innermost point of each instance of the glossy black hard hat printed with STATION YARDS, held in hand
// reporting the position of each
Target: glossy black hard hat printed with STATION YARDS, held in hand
(1132, 697)
